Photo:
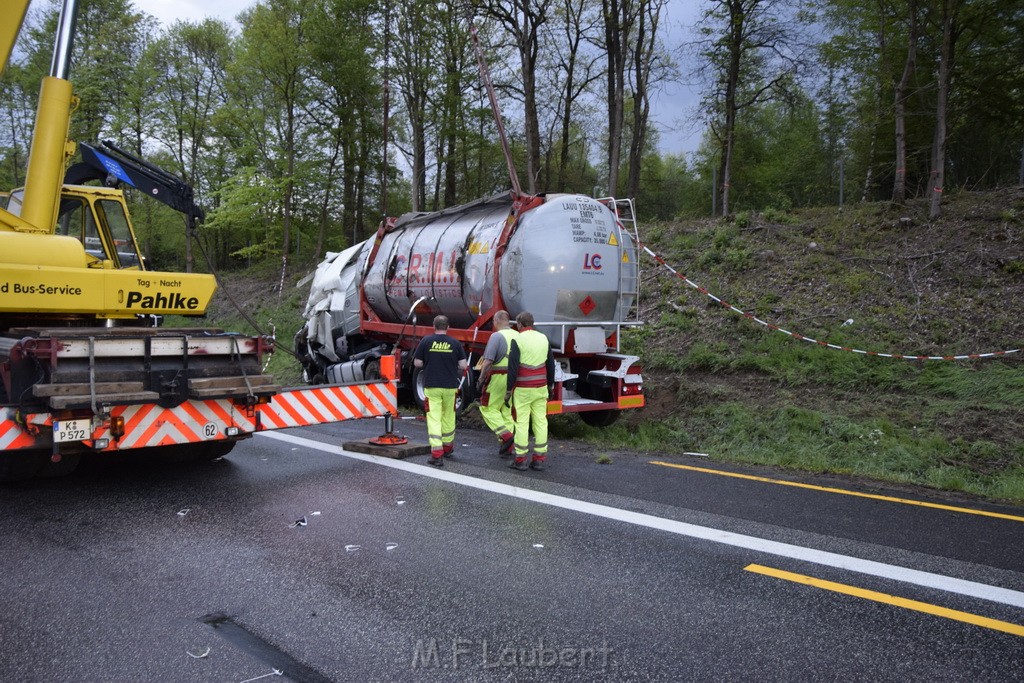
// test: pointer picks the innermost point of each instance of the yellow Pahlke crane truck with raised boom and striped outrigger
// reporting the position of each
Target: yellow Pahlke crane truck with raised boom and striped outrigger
(83, 368)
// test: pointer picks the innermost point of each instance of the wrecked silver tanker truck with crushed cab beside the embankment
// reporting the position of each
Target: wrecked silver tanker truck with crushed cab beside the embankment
(569, 260)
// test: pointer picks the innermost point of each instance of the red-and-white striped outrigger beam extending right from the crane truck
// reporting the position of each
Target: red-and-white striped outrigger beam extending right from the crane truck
(301, 408)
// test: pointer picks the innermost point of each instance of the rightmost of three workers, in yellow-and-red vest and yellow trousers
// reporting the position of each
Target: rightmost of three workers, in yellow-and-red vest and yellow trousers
(531, 380)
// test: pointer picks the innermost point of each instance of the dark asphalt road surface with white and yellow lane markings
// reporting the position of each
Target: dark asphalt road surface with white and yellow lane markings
(629, 571)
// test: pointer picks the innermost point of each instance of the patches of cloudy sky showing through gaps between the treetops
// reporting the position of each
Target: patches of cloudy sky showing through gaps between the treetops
(672, 110)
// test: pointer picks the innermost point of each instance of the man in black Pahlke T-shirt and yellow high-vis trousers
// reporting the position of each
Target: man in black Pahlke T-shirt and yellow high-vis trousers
(442, 362)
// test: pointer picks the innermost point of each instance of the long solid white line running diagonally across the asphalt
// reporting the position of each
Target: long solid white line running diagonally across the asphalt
(871, 568)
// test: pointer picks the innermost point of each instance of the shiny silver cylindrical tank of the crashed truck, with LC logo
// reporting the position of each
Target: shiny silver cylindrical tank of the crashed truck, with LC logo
(566, 263)
